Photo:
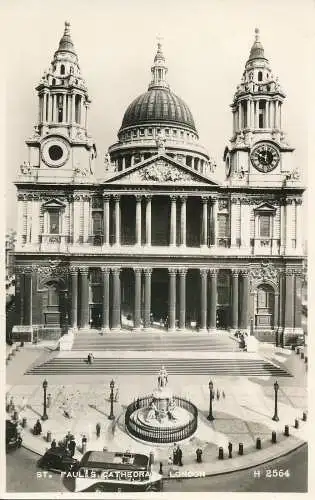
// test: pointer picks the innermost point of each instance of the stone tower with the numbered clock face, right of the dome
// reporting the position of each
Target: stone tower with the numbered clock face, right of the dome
(259, 154)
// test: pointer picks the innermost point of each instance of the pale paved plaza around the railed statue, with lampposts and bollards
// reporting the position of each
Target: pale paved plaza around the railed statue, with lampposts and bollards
(243, 415)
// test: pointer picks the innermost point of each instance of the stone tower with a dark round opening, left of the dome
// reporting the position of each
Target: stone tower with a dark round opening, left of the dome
(61, 146)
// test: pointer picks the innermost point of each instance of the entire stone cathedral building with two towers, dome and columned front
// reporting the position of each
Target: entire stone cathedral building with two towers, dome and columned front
(157, 244)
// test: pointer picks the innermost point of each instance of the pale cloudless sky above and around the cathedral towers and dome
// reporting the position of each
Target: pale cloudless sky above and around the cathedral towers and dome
(205, 42)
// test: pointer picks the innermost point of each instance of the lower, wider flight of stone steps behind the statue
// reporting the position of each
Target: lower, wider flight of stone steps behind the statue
(150, 366)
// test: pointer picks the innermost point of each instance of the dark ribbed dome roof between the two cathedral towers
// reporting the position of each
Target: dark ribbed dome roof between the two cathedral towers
(158, 104)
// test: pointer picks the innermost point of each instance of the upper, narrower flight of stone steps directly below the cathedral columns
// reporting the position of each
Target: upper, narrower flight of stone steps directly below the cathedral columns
(94, 341)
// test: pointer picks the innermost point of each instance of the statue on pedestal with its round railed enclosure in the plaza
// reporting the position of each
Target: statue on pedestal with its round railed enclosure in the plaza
(161, 417)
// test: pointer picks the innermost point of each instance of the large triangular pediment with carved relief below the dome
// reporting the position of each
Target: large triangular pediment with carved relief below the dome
(162, 170)
